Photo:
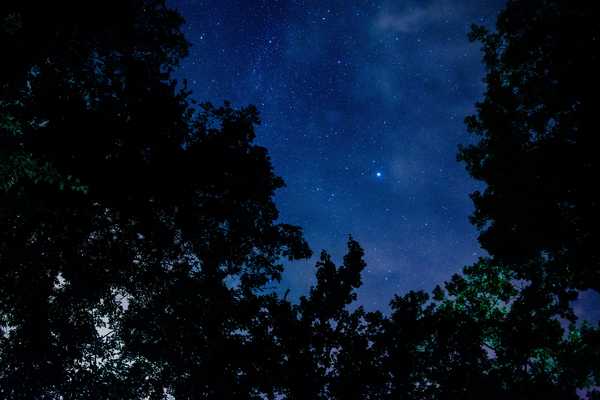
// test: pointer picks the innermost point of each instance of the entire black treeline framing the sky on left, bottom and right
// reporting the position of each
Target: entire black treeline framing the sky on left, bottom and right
(138, 228)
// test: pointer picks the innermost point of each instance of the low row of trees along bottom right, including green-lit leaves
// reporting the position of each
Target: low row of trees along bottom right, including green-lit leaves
(484, 334)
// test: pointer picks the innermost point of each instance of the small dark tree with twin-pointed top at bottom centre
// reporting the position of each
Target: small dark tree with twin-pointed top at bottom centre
(323, 346)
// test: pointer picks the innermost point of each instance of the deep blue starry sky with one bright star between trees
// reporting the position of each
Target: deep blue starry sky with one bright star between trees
(362, 104)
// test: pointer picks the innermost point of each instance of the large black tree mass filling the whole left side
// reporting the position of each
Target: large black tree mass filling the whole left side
(136, 233)
